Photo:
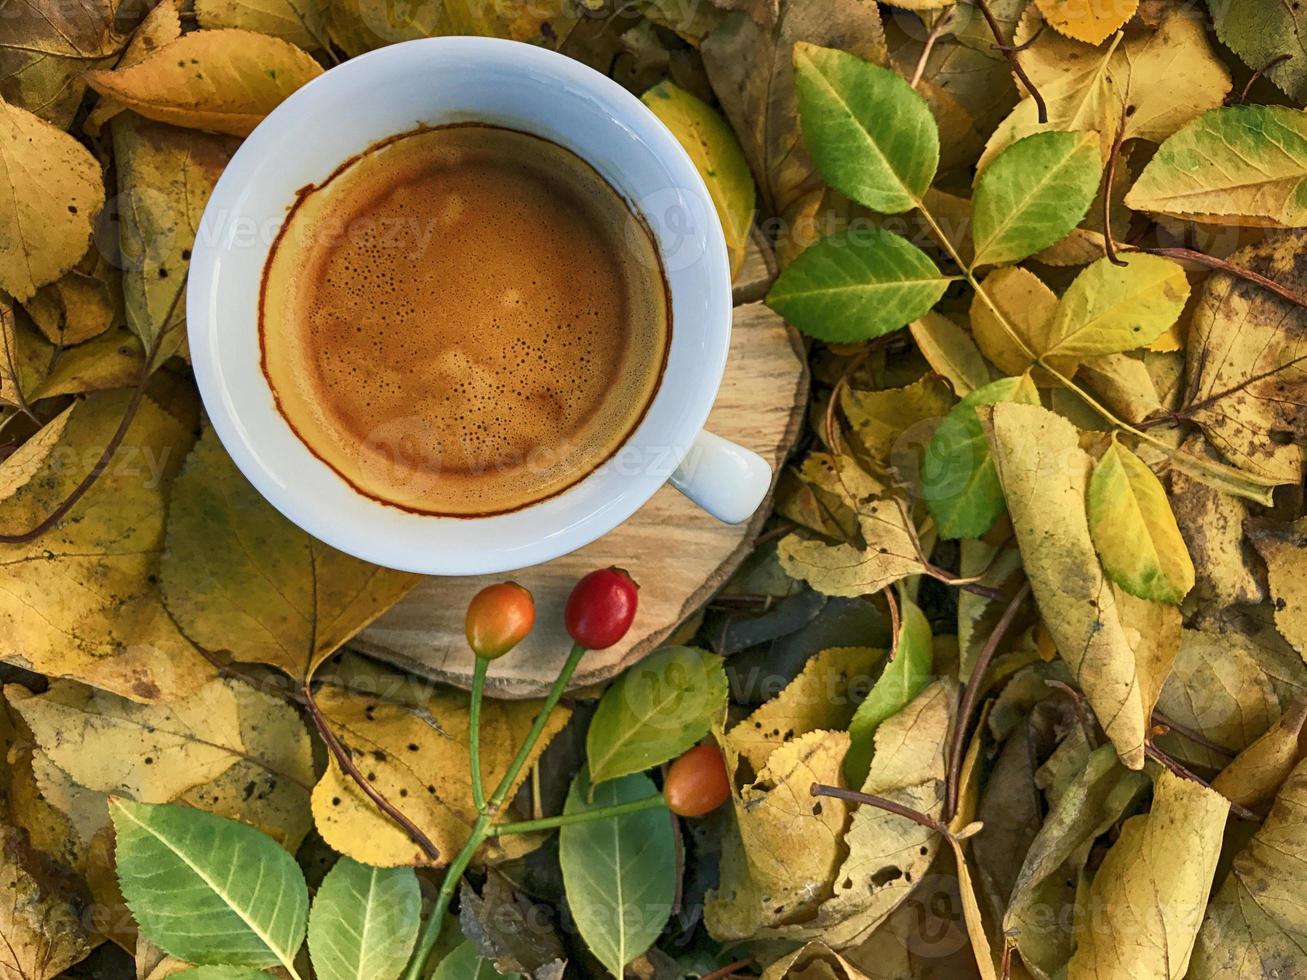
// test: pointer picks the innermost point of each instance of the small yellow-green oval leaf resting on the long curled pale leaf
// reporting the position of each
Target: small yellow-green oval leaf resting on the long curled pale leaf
(1135, 531)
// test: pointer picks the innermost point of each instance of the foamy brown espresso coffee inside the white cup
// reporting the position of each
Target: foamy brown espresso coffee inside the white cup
(465, 321)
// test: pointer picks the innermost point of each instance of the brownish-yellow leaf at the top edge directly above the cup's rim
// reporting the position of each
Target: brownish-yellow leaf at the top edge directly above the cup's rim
(365, 25)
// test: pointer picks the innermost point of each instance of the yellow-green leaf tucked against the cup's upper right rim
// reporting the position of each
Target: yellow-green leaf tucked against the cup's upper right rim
(718, 157)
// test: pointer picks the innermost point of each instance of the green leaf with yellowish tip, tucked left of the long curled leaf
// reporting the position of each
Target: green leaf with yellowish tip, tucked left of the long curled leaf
(959, 480)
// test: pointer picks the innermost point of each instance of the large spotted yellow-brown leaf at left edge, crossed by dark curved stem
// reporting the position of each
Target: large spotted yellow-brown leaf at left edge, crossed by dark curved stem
(82, 602)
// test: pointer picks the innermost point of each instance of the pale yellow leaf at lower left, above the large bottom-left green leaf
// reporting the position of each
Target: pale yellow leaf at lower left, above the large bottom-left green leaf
(152, 753)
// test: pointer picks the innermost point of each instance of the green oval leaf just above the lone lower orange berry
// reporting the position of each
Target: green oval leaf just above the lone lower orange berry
(655, 711)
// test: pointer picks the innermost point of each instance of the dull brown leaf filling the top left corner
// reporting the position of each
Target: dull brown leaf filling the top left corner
(46, 48)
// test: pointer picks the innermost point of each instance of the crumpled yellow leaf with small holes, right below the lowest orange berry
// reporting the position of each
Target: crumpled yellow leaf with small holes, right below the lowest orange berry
(789, 846)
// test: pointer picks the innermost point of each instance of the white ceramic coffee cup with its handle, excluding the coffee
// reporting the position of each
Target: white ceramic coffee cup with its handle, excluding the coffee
(433, 83)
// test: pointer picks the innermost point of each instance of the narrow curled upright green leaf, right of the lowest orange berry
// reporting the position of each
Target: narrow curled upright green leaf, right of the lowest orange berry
(904, 679)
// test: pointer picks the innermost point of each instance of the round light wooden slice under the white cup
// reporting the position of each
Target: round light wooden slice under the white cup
(676, 552)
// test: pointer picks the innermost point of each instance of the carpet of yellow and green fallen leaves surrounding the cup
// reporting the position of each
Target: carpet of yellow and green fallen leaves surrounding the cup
(1015, 684)
